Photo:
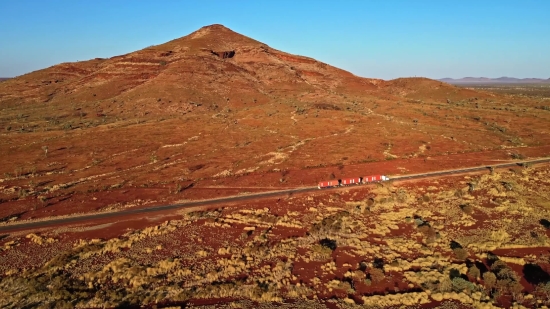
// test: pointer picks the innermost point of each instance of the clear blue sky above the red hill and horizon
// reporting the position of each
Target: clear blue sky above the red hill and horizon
(371, 38)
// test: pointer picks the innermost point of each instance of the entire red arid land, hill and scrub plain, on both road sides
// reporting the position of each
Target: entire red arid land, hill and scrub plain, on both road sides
(216, 114)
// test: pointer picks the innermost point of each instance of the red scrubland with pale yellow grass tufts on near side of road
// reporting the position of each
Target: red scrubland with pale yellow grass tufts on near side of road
(478, 240)
